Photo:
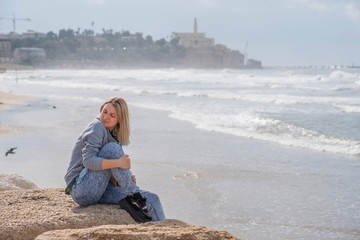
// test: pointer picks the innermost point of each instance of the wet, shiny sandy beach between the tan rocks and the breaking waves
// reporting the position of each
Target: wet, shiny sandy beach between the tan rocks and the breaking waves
(251, 188)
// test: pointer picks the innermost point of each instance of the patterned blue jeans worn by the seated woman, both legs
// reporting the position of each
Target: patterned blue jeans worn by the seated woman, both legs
(92, 187)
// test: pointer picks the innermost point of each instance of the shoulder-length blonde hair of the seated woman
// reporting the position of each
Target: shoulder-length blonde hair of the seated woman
(122, 129)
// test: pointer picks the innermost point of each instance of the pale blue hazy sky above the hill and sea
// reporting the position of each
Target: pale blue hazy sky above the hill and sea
(276, 32)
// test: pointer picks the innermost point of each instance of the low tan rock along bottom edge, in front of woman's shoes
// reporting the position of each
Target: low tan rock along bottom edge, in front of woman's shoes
(168, 229)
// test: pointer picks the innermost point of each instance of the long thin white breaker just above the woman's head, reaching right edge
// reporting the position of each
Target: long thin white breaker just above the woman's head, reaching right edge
(278, 99)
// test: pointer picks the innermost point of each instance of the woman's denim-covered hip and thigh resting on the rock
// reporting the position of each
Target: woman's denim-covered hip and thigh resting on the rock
(90, 186)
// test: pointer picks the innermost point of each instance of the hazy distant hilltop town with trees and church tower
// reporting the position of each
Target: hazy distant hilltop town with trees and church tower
(76, 48)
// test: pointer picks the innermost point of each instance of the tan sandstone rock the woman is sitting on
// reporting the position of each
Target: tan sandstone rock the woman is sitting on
(25, 214)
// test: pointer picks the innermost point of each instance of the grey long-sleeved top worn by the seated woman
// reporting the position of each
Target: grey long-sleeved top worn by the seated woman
(86, 149)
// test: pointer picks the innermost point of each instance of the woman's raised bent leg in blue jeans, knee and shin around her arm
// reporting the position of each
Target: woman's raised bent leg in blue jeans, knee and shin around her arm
(122, 176)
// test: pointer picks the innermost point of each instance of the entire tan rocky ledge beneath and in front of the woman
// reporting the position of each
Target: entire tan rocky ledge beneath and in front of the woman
(50, 214)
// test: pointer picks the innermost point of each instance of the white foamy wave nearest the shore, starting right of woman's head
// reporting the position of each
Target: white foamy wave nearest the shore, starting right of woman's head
(262, 127)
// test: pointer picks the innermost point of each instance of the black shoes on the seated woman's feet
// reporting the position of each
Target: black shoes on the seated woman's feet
(135, 205)
